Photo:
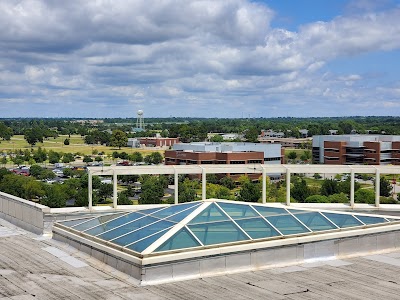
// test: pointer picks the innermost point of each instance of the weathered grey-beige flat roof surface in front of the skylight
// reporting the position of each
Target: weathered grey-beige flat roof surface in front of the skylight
(37, 267)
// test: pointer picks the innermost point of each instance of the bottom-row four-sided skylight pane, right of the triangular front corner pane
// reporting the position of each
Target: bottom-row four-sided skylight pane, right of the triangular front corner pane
(217, 233)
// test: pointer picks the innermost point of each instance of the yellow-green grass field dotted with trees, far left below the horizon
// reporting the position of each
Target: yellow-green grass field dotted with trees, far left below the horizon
(76, 145)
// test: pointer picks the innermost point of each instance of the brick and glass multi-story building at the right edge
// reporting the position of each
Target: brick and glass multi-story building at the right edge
(356, 149)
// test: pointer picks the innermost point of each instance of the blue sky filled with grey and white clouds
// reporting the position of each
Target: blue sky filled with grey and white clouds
(200, 58)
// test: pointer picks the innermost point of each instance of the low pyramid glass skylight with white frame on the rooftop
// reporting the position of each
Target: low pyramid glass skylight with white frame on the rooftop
(204, 224)
